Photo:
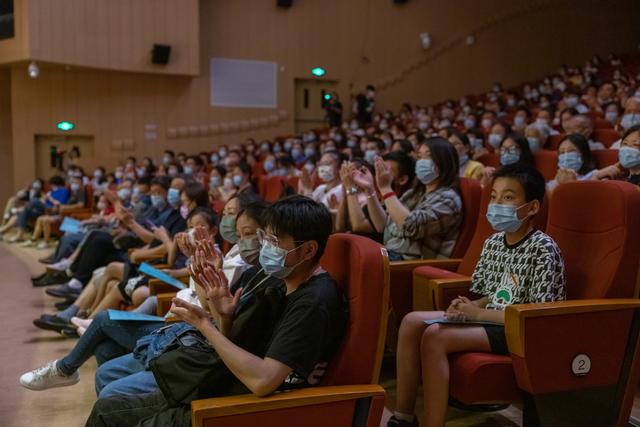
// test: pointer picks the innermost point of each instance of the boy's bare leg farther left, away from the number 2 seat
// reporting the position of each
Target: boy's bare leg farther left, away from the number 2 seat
(408, 366)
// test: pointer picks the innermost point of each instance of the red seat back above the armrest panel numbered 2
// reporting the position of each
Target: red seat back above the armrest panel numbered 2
(595, 223)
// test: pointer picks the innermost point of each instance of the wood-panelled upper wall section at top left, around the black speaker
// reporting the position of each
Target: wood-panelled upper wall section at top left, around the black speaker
(116, 34)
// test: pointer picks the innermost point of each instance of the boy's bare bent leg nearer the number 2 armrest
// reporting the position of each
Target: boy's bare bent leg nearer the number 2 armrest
(437, 342)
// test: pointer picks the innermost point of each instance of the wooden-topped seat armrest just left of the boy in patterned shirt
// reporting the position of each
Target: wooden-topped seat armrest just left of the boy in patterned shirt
(437, 294)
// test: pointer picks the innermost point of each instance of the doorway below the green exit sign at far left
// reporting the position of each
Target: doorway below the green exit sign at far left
(52, 153)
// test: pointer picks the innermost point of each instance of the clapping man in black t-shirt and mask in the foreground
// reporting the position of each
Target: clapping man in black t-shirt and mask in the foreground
(305, 336)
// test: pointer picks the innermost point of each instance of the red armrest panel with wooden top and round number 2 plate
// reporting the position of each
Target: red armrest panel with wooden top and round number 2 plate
(573, 345)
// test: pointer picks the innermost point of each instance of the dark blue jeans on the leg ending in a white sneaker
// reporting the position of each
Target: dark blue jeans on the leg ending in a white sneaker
(106, 339)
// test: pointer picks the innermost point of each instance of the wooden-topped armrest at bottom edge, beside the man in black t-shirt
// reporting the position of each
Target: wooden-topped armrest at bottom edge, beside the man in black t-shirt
(334, 405)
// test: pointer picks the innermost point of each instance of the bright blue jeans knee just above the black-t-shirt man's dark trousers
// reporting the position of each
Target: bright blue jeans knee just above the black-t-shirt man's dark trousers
(124, 376)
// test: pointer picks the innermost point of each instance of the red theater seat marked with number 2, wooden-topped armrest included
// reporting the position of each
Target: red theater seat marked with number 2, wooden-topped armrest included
(576, 360)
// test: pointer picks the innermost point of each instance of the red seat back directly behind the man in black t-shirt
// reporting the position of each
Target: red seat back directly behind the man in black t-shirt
(360, 266)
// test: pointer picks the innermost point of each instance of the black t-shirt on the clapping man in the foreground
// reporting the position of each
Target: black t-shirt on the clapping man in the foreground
(309, 330)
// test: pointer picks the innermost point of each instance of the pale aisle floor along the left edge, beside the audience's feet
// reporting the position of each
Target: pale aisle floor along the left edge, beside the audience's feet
(25, 347)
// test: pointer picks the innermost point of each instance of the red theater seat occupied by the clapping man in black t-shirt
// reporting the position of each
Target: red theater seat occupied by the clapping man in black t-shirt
(350, 394)
